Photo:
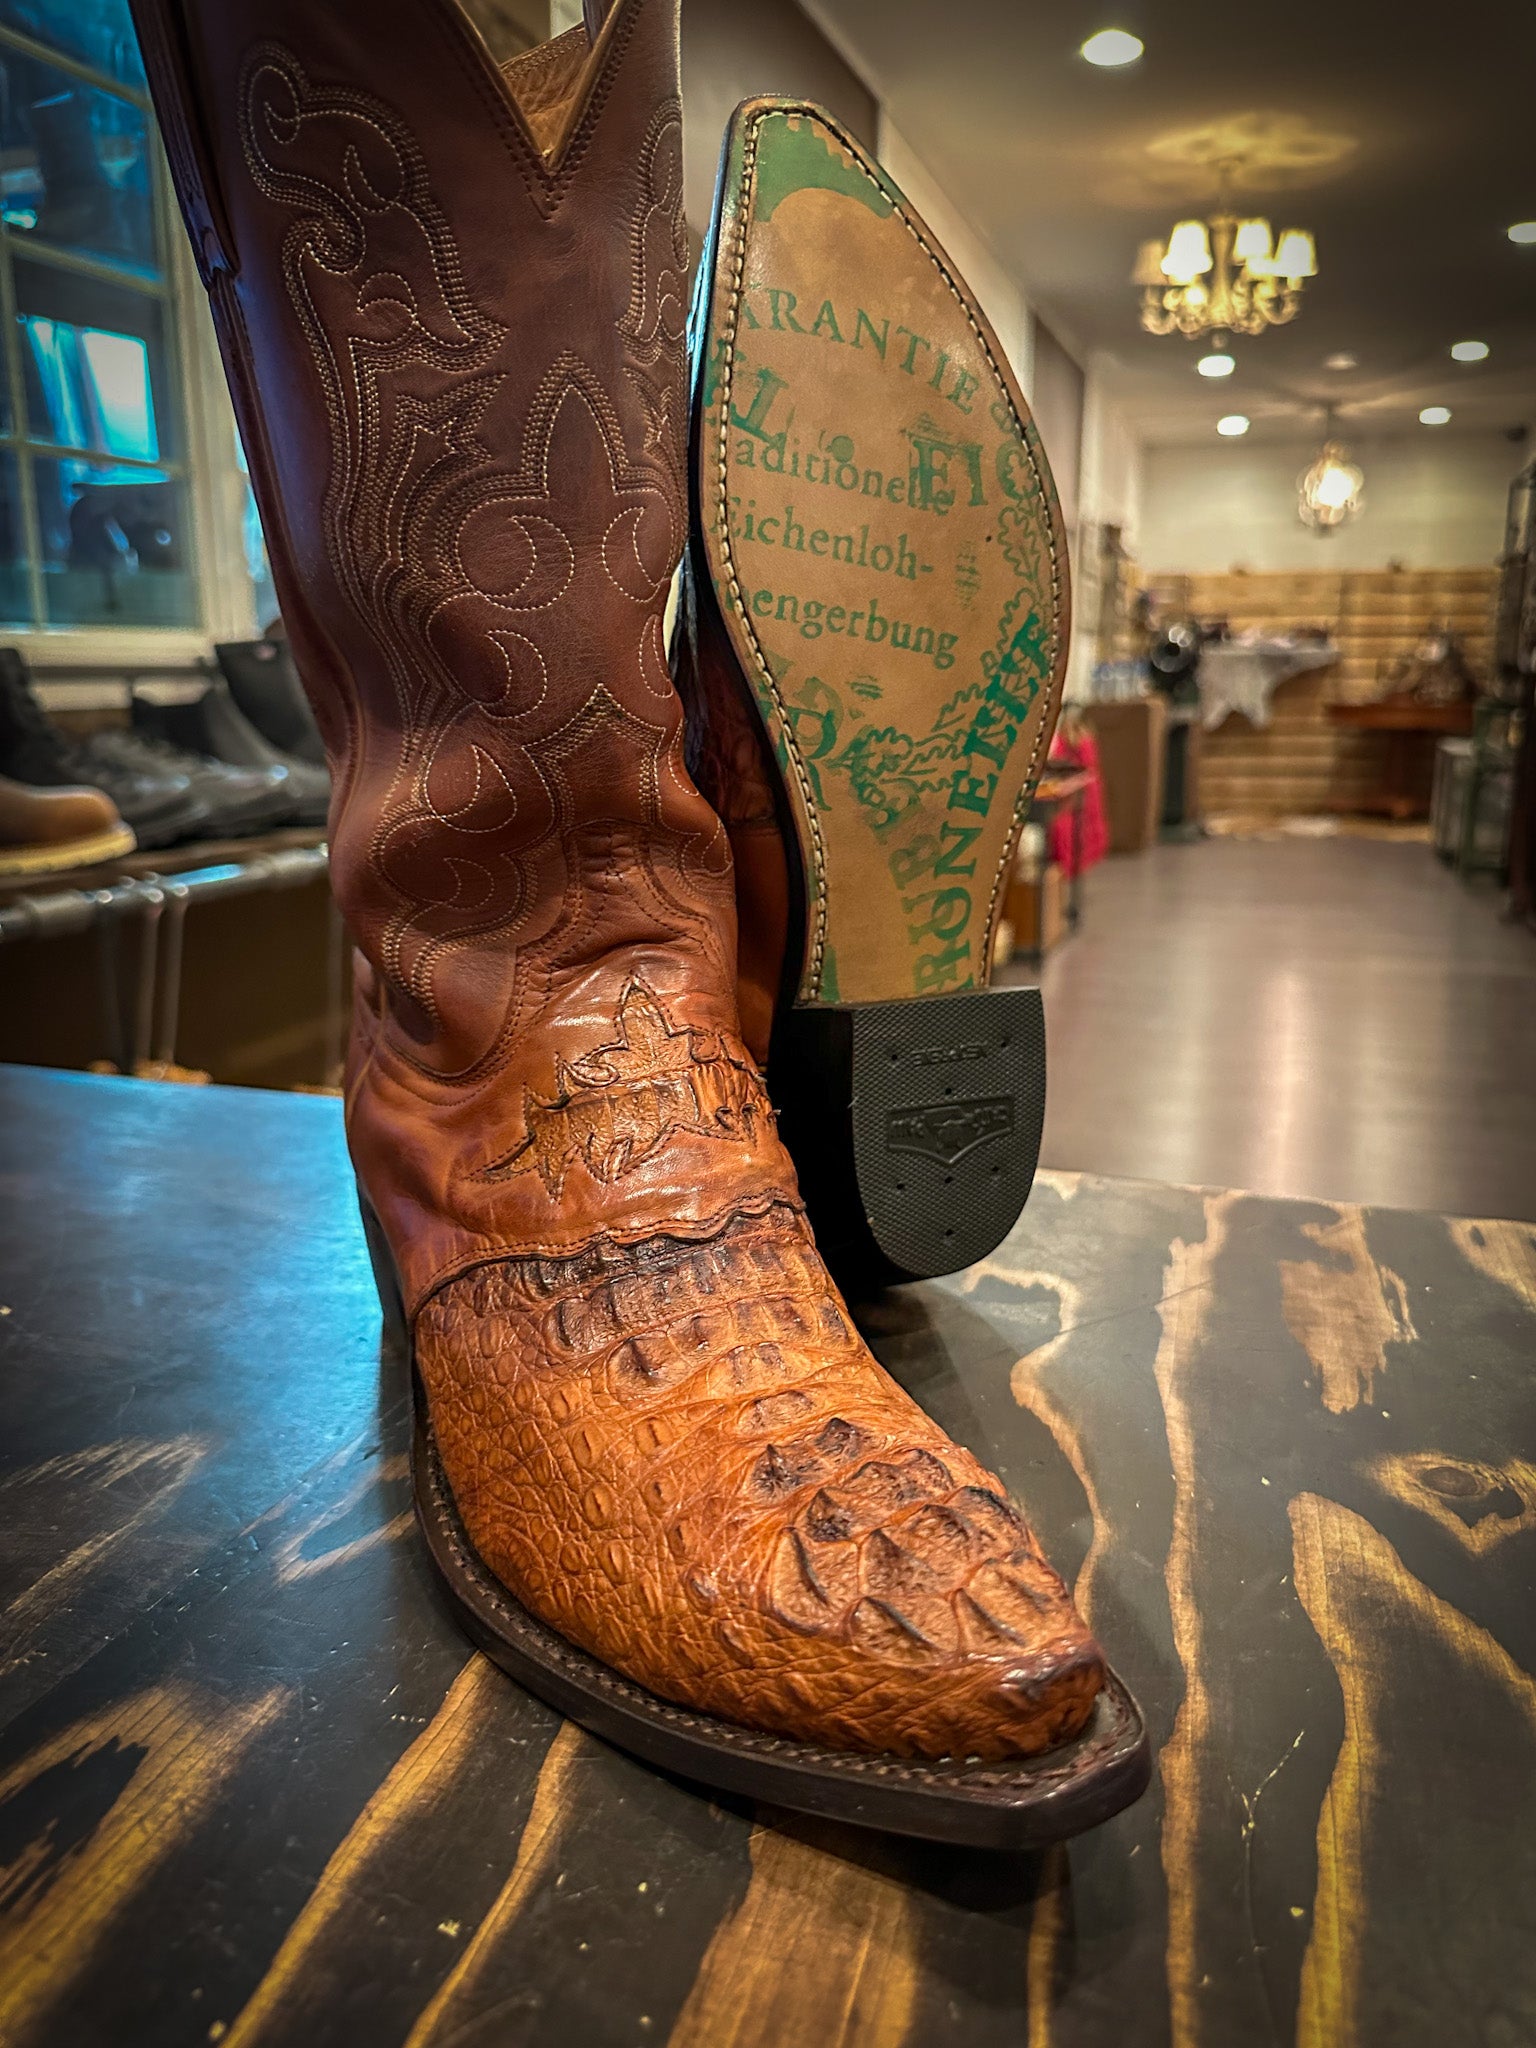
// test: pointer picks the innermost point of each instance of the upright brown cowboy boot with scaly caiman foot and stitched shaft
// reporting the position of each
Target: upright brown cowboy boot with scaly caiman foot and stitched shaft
(665, 1482)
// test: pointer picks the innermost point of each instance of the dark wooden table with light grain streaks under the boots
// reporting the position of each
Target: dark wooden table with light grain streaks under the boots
(257, 1791)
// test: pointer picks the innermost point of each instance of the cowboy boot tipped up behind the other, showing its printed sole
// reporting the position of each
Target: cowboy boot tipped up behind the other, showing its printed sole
(873, 646)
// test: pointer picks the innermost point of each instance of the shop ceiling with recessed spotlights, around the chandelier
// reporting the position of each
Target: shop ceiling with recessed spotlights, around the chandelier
(1402, 136)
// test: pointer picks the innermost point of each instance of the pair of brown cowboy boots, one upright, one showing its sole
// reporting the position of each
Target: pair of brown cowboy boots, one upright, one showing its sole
(660, 1471)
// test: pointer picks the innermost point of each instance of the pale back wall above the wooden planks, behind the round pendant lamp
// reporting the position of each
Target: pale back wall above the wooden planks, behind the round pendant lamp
(1433, 503)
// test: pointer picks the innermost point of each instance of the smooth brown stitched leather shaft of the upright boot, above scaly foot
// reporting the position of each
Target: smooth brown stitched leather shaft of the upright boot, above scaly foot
(452, 306)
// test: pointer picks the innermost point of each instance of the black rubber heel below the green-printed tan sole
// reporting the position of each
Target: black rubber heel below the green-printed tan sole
(914, 1125)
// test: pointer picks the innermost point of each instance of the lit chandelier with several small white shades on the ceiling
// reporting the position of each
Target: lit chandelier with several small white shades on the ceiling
(1224, 275)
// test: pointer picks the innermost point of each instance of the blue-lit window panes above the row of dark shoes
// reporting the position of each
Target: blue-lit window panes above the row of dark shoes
(93, 482)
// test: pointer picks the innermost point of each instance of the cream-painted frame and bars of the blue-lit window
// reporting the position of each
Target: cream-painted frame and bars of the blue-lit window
(208, 466)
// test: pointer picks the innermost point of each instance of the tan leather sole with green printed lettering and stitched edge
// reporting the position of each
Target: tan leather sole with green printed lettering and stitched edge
(886, 550)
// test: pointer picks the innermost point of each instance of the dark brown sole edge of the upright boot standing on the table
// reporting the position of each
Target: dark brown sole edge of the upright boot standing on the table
(978, 1805)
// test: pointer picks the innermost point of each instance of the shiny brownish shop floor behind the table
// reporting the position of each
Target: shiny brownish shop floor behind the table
(1330, 1019)
